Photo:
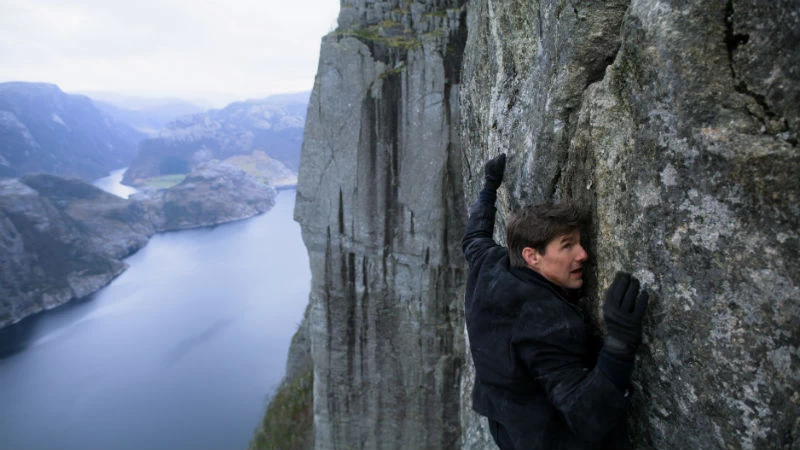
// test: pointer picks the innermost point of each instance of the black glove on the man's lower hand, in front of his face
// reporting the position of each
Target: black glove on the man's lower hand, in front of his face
(623, 312)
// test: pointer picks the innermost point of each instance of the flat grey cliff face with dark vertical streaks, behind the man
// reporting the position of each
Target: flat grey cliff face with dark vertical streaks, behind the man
(381, 207)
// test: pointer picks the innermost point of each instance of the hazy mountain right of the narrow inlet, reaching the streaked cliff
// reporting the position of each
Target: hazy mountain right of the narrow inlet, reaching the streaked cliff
(273, 125)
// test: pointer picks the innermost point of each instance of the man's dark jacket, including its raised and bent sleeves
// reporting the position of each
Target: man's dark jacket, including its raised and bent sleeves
(534, 370)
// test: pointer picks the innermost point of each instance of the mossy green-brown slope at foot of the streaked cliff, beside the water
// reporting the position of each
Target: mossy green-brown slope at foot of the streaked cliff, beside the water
(289, 421)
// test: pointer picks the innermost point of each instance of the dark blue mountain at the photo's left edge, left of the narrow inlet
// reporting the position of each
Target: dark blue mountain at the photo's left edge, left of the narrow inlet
(43, 129)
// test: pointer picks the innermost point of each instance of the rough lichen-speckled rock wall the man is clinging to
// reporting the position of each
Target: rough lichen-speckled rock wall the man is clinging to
(676, 124)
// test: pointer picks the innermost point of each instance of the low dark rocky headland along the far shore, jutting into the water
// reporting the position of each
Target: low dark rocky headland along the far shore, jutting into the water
(63, 239)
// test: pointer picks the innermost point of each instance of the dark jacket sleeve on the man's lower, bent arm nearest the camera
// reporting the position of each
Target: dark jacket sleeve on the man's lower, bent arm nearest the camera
(552, 350)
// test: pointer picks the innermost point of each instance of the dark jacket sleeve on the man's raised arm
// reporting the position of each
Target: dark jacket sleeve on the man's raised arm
(478, 240)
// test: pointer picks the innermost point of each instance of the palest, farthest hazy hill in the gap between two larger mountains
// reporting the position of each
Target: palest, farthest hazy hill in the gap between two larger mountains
(148, 117)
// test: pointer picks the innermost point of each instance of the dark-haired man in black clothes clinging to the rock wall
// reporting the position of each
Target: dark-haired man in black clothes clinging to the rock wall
(537, 381)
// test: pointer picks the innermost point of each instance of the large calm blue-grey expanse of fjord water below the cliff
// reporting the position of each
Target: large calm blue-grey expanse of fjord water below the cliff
(179, 352)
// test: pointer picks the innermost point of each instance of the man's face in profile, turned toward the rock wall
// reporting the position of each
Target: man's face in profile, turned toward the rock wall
(562, 261)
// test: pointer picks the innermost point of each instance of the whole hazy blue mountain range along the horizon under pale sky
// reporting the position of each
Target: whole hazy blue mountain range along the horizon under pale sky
(45, 130)
